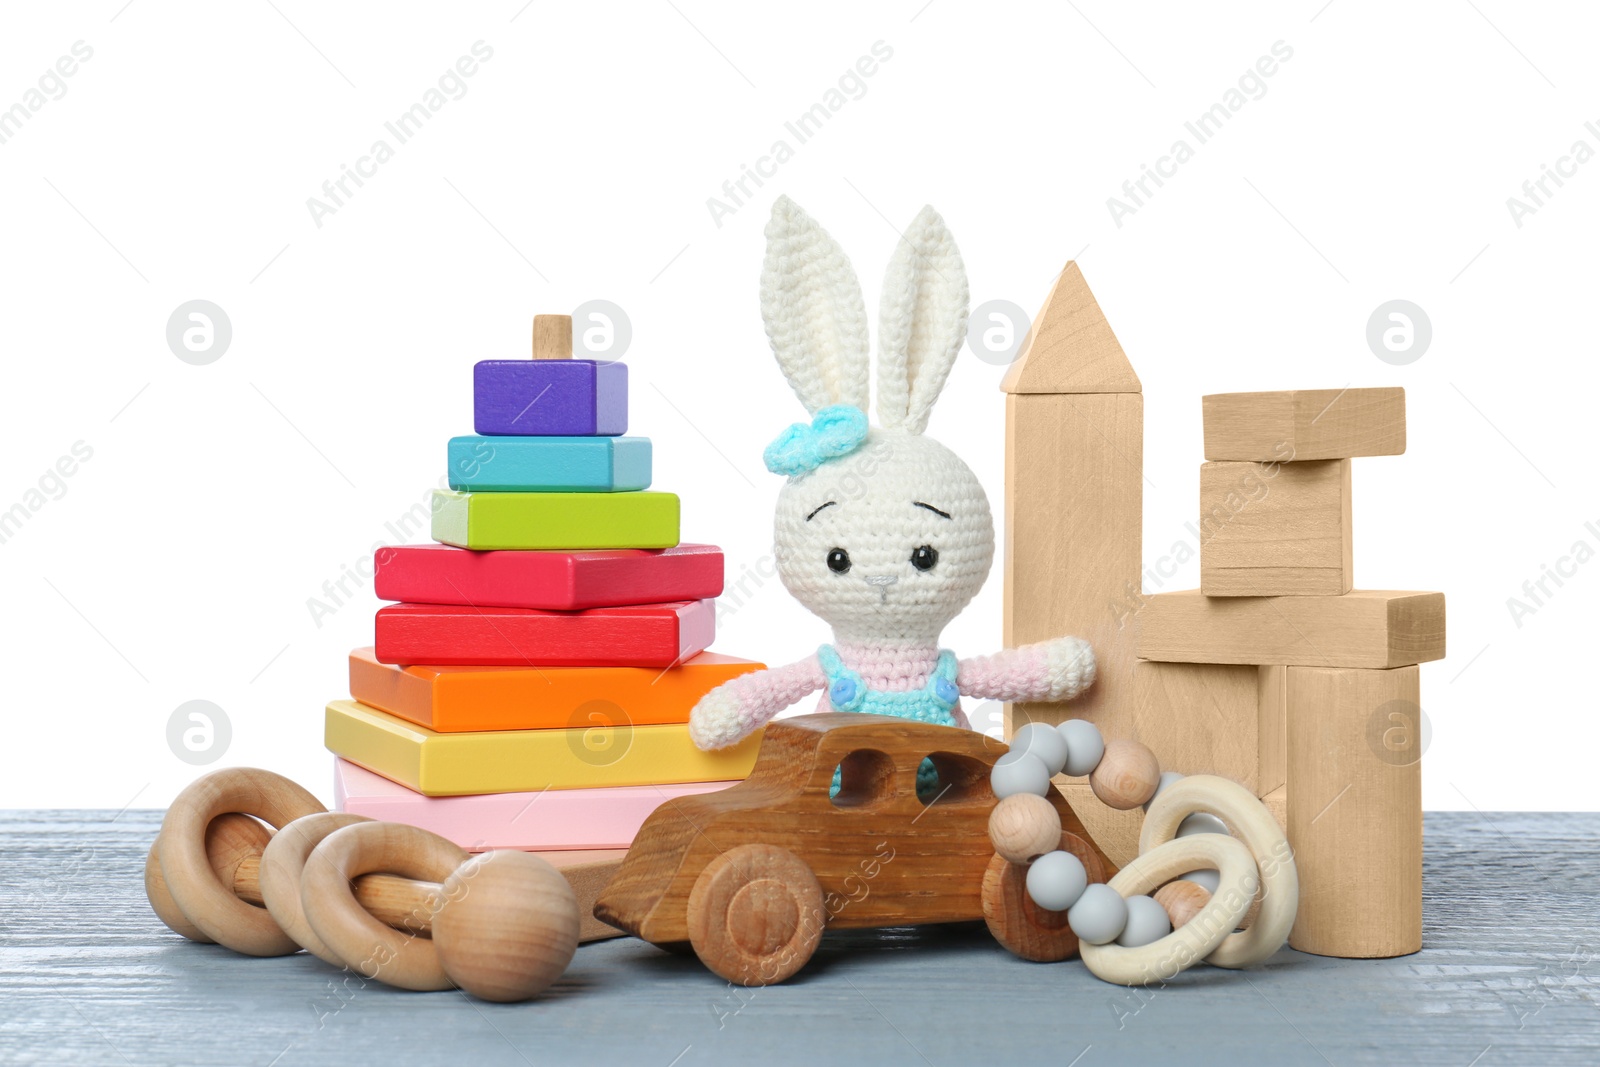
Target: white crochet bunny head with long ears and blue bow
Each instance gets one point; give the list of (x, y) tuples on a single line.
[(884, 533)]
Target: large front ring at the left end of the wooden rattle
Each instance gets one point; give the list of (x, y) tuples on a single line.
[(186, 869)]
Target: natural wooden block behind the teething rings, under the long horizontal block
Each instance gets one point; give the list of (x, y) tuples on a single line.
[(1198, 719)]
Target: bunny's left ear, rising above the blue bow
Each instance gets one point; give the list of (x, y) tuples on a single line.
[(814, 311)]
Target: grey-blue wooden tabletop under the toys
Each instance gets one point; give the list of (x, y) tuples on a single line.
[(1511, 973)]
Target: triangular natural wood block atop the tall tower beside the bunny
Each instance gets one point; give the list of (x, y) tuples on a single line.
[(1071, 348)]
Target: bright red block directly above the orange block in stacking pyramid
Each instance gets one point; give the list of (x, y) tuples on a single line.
[(641, 636)]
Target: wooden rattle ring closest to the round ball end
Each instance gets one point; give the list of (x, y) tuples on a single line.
[(348, 930)]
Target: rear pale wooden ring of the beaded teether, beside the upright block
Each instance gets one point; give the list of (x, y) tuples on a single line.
[(1250, 821)]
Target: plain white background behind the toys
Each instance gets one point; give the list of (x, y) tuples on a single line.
[(578, 164)]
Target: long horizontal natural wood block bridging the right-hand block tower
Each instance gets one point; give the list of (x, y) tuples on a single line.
[(1367, 628)]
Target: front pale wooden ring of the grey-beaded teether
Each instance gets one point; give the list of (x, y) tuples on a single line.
[(1199, 938)]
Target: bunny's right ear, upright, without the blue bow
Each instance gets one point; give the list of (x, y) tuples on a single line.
[(922, 322)]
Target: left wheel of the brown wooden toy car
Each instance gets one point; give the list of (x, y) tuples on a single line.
[(756, 914)]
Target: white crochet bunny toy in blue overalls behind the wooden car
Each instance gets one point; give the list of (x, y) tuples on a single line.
[(882, 533)]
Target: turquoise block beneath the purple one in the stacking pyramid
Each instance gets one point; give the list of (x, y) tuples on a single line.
[(550, 465)]
